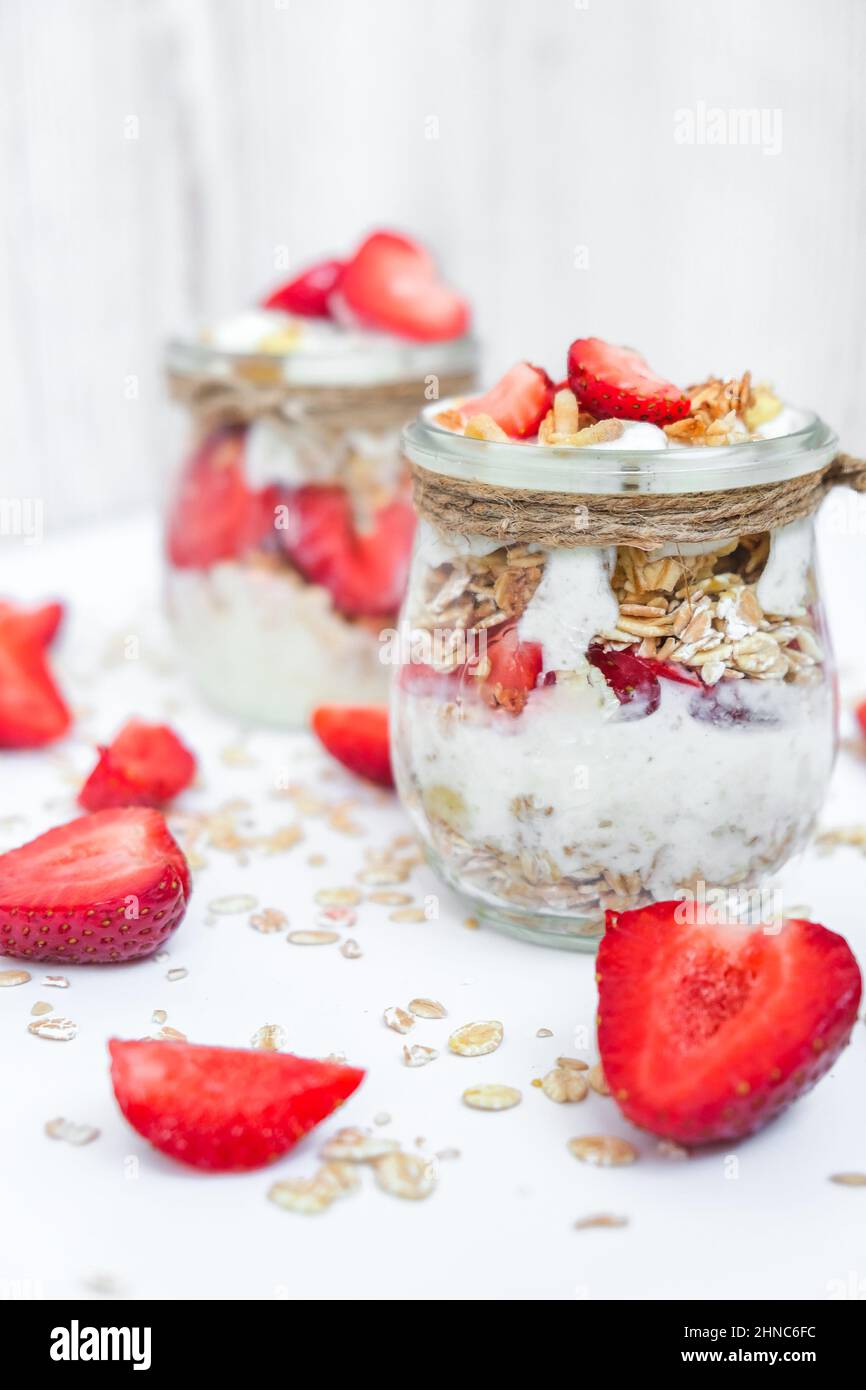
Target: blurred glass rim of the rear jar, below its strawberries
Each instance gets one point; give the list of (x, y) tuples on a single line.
[(363, 359)]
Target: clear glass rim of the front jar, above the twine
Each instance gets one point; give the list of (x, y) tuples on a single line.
[(680, 469)]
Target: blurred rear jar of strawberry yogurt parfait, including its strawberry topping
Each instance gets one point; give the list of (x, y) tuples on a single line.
[(290, 530)]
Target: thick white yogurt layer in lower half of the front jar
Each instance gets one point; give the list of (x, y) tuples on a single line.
[(671, 797)]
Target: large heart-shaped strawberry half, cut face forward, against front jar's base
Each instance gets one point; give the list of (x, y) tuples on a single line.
[(708, 1032)]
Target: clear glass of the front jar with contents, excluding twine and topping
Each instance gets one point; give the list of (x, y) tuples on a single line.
[(600, 726)]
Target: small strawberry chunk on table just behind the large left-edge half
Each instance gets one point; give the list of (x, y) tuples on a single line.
[(145, 765)]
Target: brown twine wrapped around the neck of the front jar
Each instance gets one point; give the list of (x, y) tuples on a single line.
[(640, 521)]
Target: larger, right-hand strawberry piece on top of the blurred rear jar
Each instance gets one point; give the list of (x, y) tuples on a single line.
[(393, 284)]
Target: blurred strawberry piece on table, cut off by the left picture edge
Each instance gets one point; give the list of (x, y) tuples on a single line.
[(33, 710)]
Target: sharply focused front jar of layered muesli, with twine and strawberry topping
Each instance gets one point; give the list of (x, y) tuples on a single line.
[(615, 683)]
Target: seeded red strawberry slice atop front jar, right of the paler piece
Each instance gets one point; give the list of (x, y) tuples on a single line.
[(616, 383)]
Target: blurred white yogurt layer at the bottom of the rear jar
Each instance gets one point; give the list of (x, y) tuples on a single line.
[(268, 647)]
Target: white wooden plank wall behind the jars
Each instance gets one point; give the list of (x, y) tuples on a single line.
[(158, 155)]
